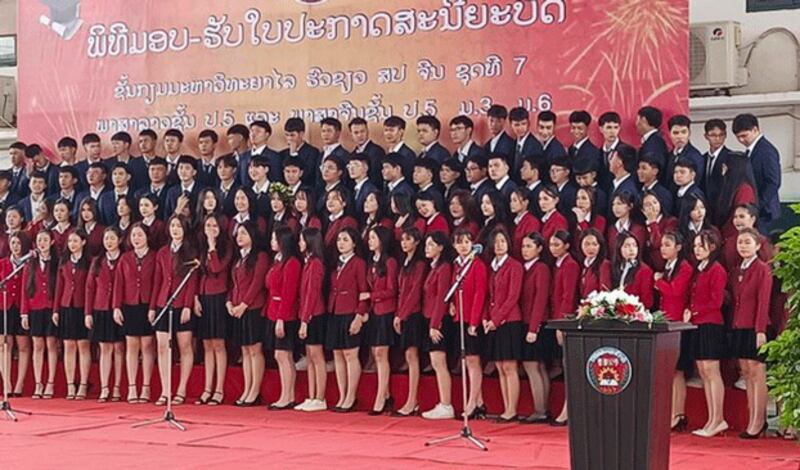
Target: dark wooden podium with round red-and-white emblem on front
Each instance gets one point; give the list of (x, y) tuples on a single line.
[(619, 392)]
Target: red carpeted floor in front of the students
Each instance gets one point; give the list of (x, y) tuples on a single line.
[(89, 435)]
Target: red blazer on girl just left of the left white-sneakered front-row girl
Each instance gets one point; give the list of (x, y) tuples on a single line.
[(283, 284)]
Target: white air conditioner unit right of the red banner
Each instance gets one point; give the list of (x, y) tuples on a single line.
[(714, 56)]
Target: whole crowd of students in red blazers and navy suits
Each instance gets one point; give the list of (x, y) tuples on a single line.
[(341, 251)]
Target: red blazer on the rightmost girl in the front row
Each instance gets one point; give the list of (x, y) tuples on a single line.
[(751, 290)]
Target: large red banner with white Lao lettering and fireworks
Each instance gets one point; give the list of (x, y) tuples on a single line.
[(113, 65)]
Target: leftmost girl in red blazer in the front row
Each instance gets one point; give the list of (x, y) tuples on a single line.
[(19, 245)]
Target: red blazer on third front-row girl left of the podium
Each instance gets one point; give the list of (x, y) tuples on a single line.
[(504, 291)]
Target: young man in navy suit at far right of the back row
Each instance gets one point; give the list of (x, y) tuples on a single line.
[(766, 163)]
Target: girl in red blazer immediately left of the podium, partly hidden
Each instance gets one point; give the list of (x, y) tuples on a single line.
[(564, 301)]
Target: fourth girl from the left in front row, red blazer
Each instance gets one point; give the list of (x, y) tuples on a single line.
[(99, 315)]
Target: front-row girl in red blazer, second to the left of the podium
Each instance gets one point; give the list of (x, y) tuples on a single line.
[(535, 304)]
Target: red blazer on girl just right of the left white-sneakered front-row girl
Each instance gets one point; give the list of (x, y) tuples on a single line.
[(346, 285)]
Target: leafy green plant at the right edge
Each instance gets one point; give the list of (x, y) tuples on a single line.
[(783, 374)]
